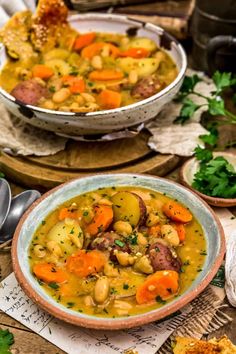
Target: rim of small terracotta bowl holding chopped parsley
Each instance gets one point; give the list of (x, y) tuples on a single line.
[(215, 201)]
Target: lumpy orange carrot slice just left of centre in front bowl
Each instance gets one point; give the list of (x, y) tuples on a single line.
[(83, 264)]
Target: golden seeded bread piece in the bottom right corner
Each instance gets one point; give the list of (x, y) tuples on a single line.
[(213, 346)]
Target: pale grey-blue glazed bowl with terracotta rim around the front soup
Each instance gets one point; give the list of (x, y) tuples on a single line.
[(41, 208)]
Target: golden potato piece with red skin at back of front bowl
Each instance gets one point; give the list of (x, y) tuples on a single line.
[(128, 206)]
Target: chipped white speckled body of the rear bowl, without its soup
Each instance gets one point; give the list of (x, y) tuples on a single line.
[(101, 122)]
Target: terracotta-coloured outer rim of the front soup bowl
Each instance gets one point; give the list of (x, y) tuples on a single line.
[(106, 323)]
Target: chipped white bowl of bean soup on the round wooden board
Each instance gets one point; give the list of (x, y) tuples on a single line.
[(104, 74)]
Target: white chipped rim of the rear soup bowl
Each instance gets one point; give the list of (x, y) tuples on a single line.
[(124, 109)]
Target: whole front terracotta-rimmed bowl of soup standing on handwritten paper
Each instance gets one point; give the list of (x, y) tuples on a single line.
[(117, 250)]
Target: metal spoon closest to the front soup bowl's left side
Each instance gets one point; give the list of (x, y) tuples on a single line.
[(19, 204)]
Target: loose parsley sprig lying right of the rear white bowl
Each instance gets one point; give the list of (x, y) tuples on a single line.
[(215, 104)]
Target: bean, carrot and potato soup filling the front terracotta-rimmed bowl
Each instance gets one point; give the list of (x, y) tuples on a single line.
[(117, 251)]
